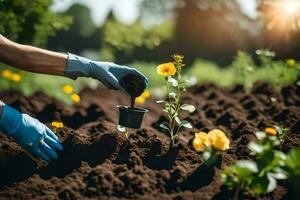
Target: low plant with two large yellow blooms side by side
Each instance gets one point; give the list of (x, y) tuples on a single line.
[(211, 144)]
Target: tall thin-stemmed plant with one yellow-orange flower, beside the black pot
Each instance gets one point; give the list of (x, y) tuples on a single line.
[(175, 85)]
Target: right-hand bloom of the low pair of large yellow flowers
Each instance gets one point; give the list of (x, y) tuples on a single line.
[(218, 139)]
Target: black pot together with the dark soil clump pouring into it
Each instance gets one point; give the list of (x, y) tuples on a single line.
[(132, 117)]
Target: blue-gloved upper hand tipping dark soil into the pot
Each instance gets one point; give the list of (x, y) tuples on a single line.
[(108, 73)]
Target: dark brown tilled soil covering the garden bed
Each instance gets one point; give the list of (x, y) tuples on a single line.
[(98, 162)]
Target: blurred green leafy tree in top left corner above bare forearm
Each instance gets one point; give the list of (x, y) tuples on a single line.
[(30, 21)]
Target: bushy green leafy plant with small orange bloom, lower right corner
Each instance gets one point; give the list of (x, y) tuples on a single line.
[(261, 176)]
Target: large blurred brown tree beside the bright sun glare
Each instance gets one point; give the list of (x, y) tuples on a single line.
[(214, 29)]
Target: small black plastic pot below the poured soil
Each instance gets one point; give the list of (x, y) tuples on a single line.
[(131, 118)]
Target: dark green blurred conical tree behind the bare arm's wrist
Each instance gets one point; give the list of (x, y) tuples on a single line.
[(82, 34)]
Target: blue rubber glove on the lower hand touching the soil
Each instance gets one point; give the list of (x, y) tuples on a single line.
[(30, 133)]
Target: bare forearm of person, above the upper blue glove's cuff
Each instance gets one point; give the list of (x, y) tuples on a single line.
[(32, 59)]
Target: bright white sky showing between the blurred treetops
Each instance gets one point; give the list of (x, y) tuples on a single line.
[(127, 11)]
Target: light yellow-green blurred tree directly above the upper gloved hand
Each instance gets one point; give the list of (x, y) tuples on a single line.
[(134, 42)]
